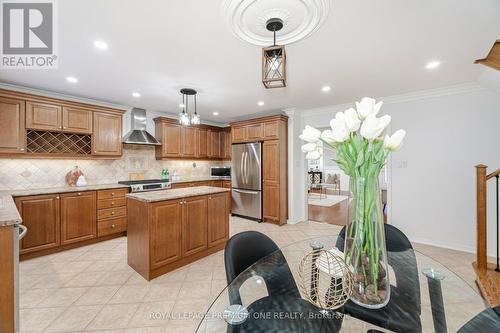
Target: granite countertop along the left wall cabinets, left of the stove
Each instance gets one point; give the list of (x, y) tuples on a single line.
[(8, 210)]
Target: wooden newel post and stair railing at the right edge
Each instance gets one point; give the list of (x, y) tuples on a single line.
[(481, 233)]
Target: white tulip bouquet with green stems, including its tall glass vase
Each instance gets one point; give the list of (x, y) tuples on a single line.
[(357, 137)]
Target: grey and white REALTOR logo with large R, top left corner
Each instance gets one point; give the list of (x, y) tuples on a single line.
[(28, 34)]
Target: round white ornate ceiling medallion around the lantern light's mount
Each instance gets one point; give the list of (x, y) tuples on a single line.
[(247, 18)]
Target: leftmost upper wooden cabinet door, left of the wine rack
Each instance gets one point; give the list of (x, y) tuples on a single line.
[(12, 130)]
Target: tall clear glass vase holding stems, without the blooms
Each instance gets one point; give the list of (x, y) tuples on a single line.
[(365, 247)]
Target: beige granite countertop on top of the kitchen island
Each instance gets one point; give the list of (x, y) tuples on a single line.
[(177, 193)]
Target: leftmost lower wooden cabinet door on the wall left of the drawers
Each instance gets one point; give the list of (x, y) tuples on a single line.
[(40, 215)]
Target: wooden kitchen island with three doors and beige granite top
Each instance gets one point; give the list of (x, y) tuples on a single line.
[(171, 228)]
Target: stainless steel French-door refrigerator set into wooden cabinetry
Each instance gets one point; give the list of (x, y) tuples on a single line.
[(246, 179)]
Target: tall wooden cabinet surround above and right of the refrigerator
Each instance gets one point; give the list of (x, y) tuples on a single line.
[(272, 131)]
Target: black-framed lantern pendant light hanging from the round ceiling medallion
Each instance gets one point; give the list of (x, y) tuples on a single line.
[(274, 59)]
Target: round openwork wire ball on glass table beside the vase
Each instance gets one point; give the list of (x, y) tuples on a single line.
[(324, 279)]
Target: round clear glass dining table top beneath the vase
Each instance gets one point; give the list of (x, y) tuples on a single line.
[(441, 300)]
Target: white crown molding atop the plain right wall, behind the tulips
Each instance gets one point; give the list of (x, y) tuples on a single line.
[(407, 97)]
